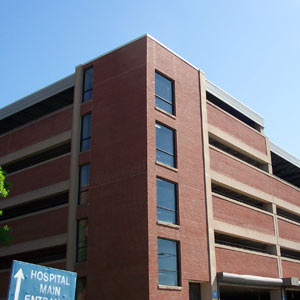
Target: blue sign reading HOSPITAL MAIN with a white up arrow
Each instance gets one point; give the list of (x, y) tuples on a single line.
[(34, 282)]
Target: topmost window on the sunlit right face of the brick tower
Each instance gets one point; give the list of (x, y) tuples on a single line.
[(164, 93)]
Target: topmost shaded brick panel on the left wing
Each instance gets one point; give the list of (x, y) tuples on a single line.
[(36, 131)]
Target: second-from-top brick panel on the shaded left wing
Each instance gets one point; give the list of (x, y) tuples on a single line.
[(40, 176)]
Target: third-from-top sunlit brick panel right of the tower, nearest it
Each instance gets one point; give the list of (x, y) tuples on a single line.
[(239, 215)]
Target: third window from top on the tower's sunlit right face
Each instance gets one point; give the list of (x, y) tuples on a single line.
[(166, 201)]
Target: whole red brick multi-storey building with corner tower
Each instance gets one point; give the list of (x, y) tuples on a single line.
[(151, 183)]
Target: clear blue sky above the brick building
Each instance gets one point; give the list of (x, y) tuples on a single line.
[(249, 48)]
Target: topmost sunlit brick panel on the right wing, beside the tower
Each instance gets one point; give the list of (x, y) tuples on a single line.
[(235, 128)]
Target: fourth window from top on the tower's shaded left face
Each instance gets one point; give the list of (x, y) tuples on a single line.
[(82, 239)]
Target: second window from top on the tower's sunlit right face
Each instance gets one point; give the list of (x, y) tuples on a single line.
[(165, 141)]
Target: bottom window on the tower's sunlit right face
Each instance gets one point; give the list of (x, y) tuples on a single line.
[(168, 262)]
